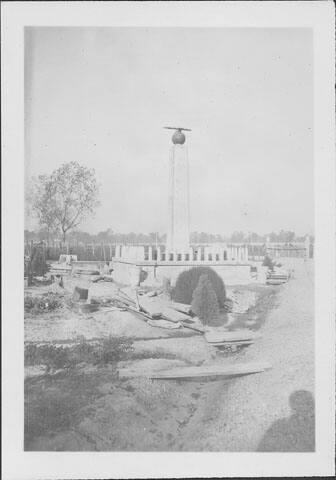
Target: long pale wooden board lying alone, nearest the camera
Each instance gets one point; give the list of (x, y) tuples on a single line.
[(202, 371)]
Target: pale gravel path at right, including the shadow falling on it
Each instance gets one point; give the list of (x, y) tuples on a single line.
[(274, 410)]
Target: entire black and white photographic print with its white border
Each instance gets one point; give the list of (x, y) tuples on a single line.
[(171, 236)]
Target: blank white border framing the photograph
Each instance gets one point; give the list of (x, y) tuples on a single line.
[(18, 464)]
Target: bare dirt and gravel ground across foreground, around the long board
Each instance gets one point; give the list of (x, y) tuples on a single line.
[(90, 409)]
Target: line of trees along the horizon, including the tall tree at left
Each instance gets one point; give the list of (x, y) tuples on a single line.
[(62, 200)]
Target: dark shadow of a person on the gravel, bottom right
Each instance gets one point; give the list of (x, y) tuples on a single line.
[(295, 433)]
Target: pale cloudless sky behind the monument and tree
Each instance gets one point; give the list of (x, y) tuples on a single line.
[(102, 95)]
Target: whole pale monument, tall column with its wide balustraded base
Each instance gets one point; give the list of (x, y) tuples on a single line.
[(160, 262)]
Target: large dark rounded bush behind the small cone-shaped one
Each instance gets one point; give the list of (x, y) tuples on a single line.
[(188, 280)]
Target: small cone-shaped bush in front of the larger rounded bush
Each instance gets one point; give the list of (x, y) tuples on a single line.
[(204, 302)]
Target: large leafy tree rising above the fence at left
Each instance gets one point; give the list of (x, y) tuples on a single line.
[(65, 198)]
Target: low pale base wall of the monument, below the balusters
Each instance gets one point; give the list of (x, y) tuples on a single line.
[(129, 273)]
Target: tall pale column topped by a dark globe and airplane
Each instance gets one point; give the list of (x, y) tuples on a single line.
[(178, 235)]
